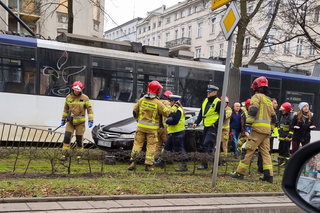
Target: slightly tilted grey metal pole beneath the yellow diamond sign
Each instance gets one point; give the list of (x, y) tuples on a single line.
[(224, 92)]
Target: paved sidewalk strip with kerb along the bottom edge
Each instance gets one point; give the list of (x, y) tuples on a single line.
[(178, 203)]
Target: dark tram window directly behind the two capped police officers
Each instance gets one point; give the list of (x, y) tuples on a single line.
[(192, 86)]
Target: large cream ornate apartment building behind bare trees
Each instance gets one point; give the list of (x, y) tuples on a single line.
[(191, 25)]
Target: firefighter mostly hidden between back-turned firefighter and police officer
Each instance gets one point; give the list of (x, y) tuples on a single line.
[(162, 131)]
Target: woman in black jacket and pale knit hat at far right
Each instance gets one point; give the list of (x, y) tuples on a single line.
[(302, 123)]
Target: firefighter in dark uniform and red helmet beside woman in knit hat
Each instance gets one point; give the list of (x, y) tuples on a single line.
[(285, 133)]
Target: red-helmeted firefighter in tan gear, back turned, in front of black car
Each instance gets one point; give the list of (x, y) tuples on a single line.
[(147, 112)]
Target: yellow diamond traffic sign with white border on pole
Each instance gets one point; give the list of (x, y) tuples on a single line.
[(230, 20)]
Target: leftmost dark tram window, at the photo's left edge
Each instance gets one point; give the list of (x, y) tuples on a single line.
[(17, 76)]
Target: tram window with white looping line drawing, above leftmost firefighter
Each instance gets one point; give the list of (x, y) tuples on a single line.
[(59, 69)]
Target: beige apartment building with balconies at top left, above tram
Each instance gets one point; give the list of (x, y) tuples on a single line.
[(50, 18)]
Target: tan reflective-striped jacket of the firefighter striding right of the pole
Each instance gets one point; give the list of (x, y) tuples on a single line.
[(261, 123)]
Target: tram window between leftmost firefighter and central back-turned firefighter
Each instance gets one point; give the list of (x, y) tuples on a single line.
[(113, 79)]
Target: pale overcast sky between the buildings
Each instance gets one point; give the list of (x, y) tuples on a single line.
[(122, 11)]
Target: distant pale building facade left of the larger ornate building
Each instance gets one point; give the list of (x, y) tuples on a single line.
[(124, 32)]
